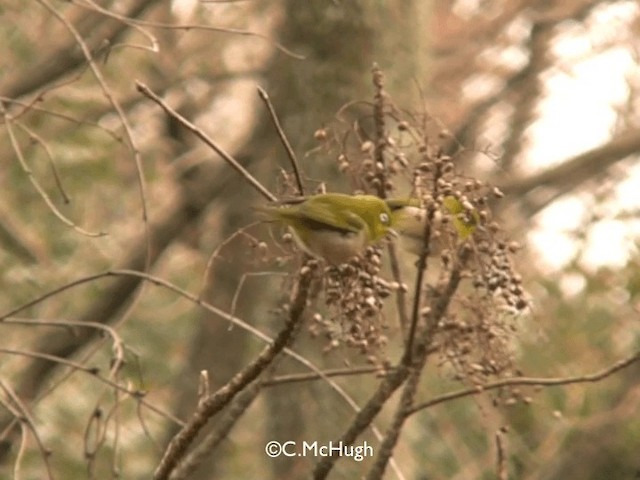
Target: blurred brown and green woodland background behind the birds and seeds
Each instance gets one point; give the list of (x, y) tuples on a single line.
[(540, 99)]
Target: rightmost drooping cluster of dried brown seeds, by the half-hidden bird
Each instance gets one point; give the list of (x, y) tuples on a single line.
[(475, 335)]
